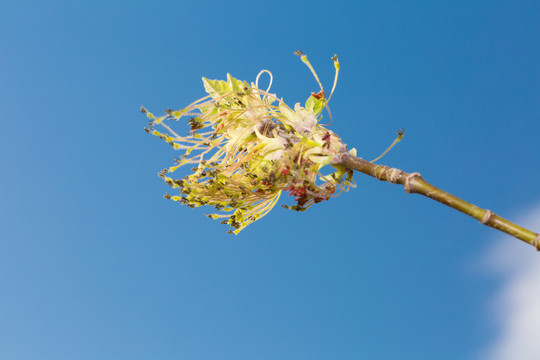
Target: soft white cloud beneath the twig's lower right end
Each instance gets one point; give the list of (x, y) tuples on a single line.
[(515, 307)]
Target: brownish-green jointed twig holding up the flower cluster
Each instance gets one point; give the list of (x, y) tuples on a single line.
[(414, 183)]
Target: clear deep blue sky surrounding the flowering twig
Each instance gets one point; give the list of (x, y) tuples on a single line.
[(95, 264)]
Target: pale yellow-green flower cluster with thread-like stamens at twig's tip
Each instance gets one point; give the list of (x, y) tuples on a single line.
[(247, 146)]
